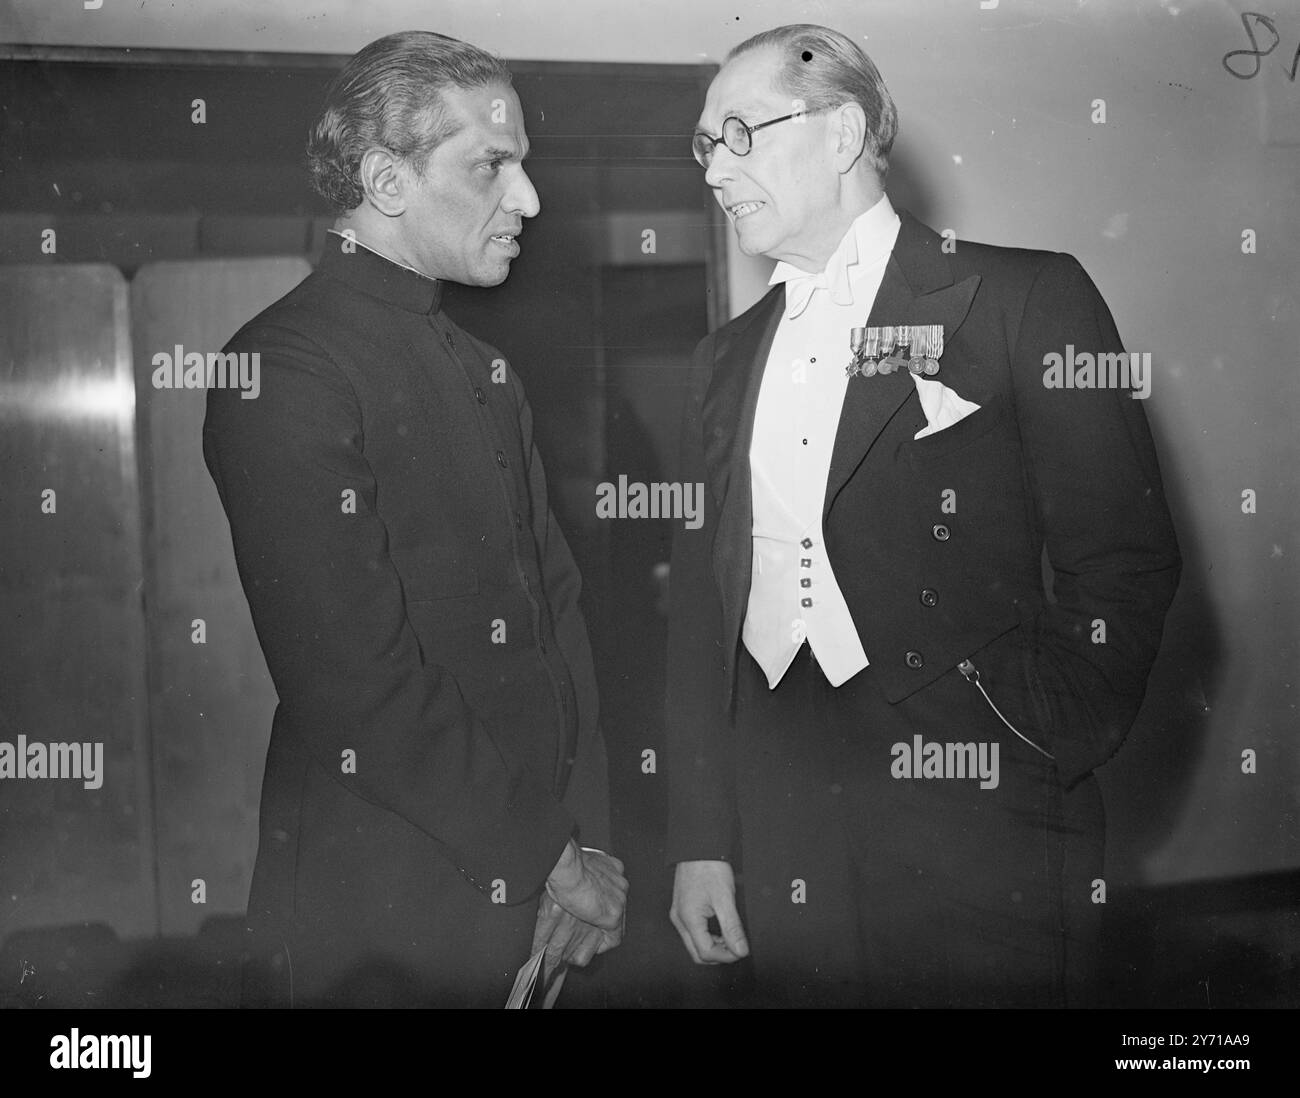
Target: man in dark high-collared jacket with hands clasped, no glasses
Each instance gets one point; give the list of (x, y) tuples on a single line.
[(436, 791)]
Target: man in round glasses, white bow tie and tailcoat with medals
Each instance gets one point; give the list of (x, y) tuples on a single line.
[(877, 717)]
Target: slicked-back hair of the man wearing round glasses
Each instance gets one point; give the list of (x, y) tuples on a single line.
[(825, 70)]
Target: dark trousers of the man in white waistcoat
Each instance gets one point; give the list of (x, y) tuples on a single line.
[(866, 889)]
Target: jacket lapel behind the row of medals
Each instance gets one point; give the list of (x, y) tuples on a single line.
[(917, 289)]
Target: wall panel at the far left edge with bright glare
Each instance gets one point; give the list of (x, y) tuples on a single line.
[(72, 630)]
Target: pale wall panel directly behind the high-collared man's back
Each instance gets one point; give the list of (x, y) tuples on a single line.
[(211, 704)]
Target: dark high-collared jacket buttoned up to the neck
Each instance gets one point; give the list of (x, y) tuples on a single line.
[(436, 741)]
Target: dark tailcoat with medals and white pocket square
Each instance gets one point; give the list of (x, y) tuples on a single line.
[(938, 543)]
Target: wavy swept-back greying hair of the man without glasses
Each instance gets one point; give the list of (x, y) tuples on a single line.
[(389, 96)]
